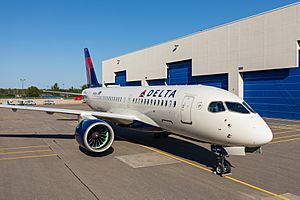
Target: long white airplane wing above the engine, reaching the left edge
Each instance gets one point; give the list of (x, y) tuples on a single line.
[(115, 117)]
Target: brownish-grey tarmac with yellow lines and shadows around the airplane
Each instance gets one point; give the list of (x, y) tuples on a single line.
[(39, 159)]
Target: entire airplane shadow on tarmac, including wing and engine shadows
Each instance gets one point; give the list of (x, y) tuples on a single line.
[(174, 146)]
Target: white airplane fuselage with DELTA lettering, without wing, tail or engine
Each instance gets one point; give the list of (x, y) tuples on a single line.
[(185, 110)]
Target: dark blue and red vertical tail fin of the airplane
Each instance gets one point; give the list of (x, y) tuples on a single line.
[(90, 72)]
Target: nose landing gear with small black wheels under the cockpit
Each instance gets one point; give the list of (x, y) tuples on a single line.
[(223, 167)]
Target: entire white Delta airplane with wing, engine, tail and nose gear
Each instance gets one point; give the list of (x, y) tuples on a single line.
[(204, 113)]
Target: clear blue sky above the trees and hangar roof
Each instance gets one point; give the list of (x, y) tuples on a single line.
[(42, 41)]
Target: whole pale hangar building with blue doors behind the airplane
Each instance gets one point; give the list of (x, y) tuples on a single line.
[(256, 58)]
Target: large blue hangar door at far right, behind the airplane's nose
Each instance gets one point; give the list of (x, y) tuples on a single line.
[(274, 93)]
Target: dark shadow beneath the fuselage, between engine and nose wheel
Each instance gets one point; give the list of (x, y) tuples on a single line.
[(174, 146)]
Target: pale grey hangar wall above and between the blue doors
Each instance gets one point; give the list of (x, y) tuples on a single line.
[(262, 42)]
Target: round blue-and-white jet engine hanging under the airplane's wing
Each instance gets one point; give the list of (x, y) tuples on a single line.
[(94, 135)]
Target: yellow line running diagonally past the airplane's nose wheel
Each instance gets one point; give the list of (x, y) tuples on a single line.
[(206, 169)]
